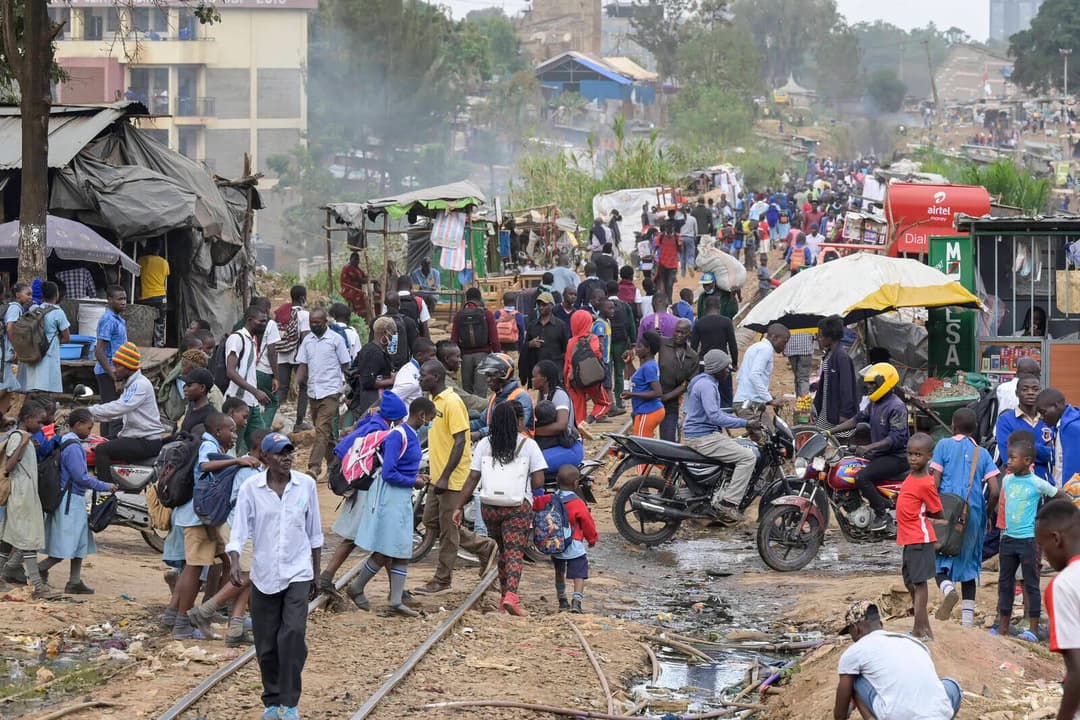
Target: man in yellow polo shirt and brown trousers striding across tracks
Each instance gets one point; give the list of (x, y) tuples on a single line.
[(451, 452)]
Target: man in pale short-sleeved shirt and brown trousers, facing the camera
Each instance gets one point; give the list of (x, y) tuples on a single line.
[(323, 360)]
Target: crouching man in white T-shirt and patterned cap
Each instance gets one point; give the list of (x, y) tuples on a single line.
[(889, 676)]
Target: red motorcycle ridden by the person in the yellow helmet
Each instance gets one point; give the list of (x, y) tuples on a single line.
[(825, 479)]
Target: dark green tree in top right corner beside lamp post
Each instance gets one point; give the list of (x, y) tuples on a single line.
[(1039, 64)]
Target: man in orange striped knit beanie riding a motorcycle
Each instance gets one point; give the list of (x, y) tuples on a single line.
[(140, 437)]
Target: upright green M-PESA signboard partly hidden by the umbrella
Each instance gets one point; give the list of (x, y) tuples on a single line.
[(951, 345)]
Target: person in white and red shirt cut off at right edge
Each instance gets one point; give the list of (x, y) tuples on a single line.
[(1058, 533)]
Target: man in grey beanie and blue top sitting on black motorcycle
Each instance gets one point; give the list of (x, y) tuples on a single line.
[(704, 431)]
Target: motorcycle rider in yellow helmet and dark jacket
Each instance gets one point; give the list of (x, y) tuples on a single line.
[(888, 450)]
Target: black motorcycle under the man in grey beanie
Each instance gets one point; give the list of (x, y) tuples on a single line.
[(650, 509)]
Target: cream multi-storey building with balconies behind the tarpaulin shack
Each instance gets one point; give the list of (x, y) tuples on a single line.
[(232, 88)]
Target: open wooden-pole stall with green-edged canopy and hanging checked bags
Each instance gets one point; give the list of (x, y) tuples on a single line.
[(356, 220)]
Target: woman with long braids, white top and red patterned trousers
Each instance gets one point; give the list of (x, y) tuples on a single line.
[(507, 450)]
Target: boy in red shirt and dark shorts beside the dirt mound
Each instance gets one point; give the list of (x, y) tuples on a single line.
[(919, 500)]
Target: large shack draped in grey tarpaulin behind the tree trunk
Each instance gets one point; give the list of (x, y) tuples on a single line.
[(107, 174)]
